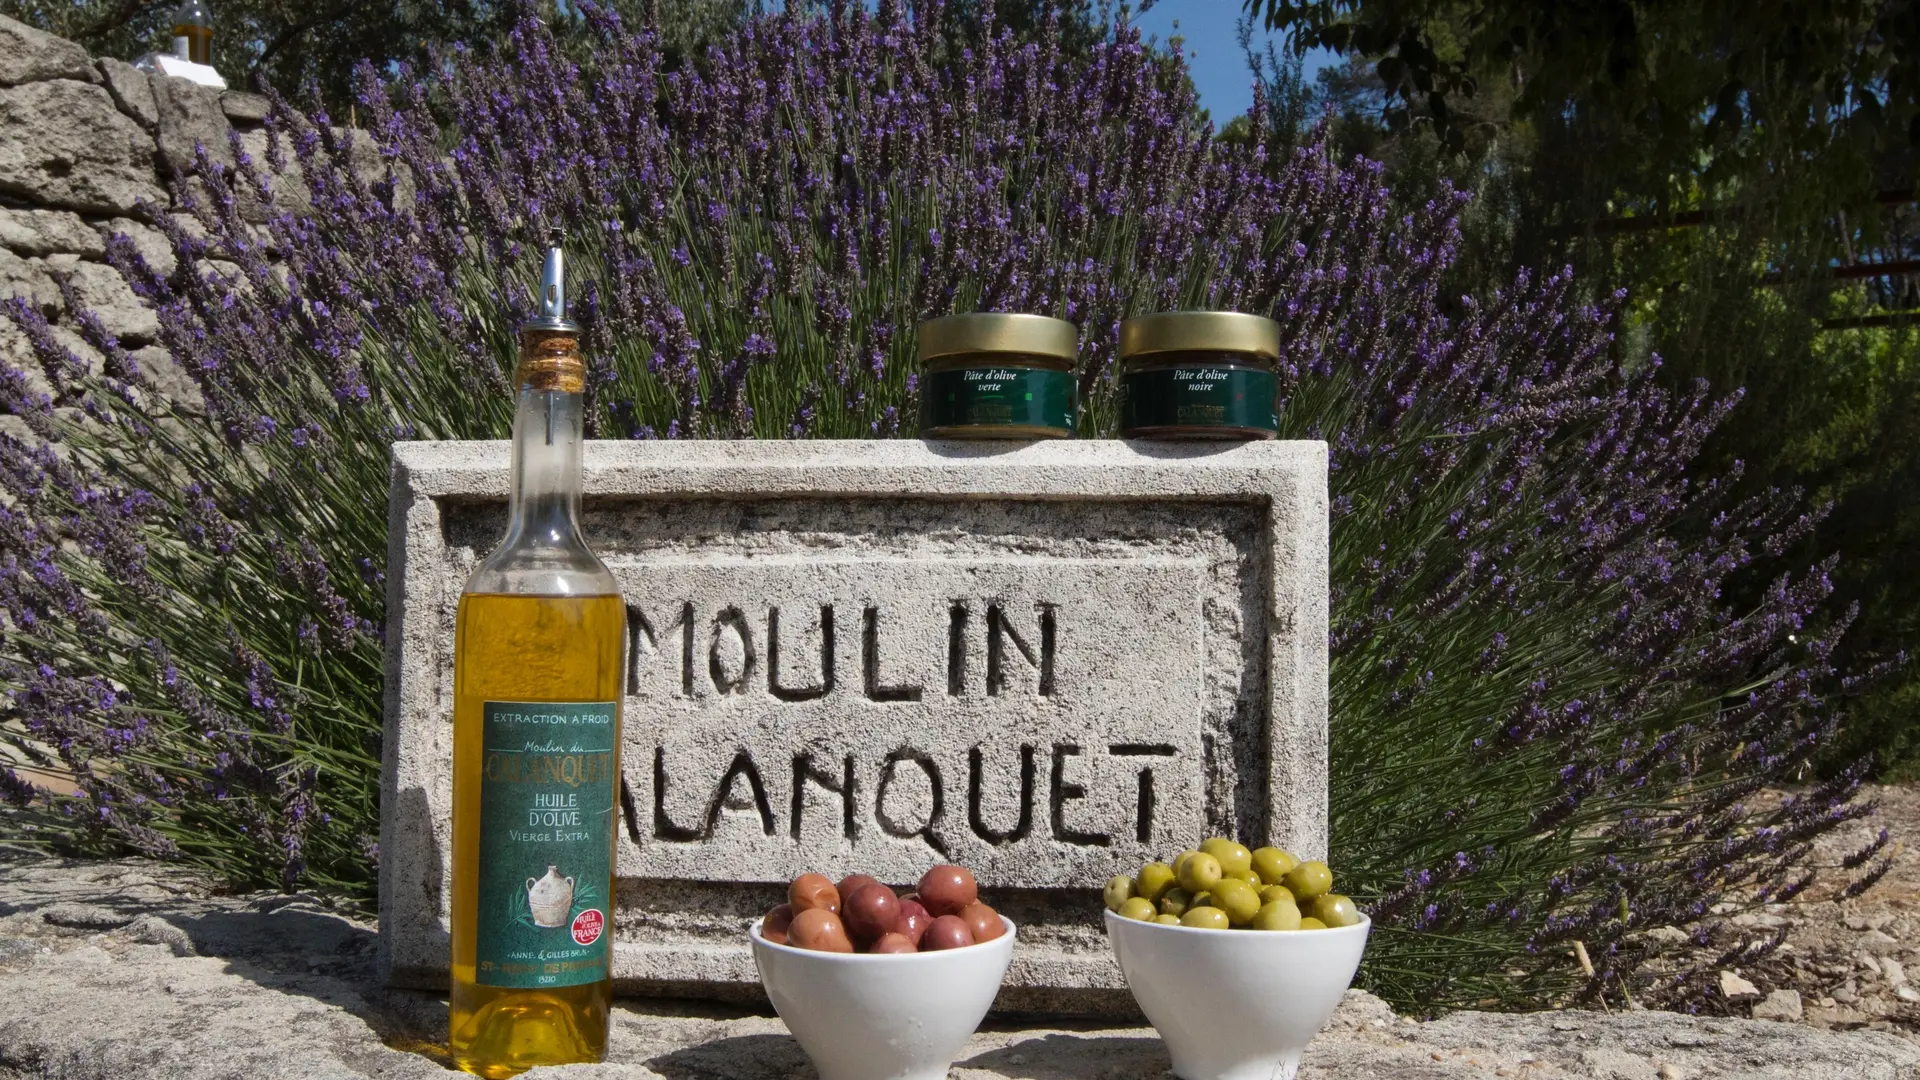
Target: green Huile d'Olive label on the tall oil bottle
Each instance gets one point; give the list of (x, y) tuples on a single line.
[(546, 845)]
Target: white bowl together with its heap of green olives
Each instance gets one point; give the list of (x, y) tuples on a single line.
[(1237, 956)]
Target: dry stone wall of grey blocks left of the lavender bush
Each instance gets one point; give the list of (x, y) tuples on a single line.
[(89, 149)]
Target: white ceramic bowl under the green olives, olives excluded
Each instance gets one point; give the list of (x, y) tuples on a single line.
[(1237, 1004)]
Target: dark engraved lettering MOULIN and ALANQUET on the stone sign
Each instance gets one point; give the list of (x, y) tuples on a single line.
[(752, 650)]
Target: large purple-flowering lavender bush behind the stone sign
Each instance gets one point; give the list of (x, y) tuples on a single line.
[(1548, 727)]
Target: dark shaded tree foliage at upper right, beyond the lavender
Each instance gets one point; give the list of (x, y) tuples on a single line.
[(1744, 172)]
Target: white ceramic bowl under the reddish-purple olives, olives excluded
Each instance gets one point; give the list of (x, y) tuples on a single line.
[(882, 1018)]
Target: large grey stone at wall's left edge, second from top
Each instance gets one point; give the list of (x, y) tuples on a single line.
[(66, 145)]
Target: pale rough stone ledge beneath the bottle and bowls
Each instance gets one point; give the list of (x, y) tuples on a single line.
[(133, 970)]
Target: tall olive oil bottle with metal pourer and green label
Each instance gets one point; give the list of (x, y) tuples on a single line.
[(539, 654)]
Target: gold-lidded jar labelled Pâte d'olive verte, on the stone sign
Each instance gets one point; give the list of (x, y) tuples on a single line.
[(997, 376)]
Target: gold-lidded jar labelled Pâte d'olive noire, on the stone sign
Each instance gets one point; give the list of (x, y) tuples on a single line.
[(1199, 376)]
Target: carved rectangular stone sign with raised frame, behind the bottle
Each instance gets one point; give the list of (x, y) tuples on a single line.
[(1045, 662)]
